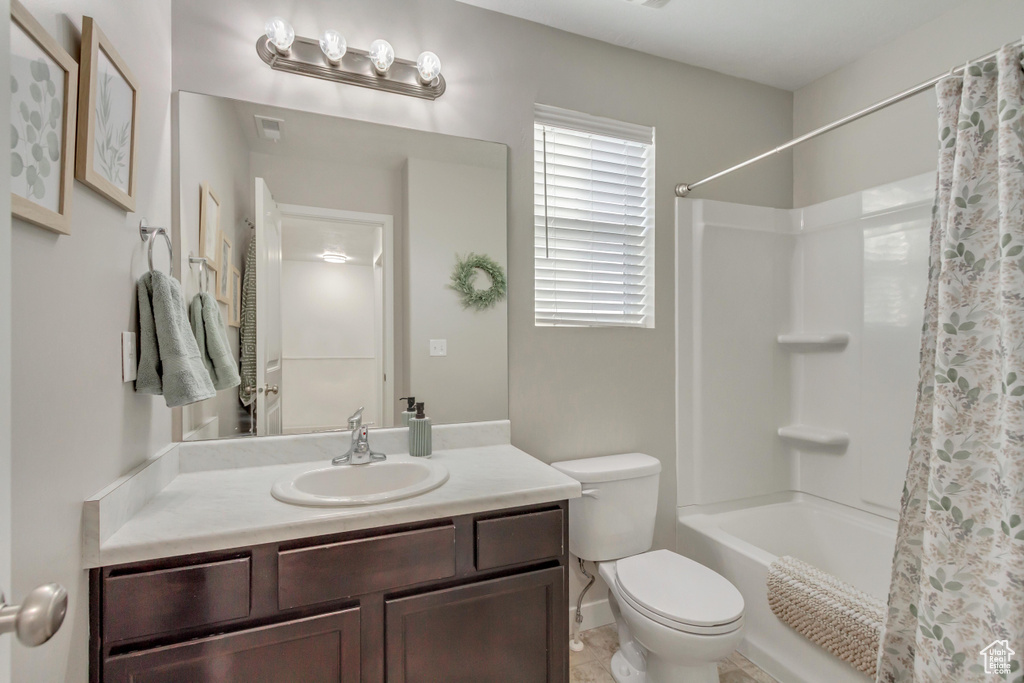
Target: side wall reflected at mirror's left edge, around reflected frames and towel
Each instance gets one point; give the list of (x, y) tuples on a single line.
[(211, 149)]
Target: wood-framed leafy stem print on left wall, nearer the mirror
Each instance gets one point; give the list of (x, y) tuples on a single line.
[(108, 118)]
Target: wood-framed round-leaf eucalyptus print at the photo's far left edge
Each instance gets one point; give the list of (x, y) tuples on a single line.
[(44, 112)]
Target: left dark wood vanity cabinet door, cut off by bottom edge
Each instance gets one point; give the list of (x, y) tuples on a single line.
[(318, 650)]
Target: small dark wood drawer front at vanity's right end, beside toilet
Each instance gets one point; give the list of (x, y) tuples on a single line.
[(518, 539)]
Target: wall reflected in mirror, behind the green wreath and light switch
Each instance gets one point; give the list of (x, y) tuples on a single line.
[(455, 209)]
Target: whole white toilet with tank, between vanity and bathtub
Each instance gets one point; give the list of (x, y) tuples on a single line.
[(676, 618)]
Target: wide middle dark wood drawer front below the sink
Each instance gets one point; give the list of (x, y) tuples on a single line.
[(322, 574)]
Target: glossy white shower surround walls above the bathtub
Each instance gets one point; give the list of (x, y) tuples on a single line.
[(857, 265)]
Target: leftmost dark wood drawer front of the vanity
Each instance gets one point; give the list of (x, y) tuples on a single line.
[(163, 601)]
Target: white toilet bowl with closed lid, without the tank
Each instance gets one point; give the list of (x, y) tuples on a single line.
[(676, 619)]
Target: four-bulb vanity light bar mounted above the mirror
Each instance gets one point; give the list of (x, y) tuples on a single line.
[(331, 59)]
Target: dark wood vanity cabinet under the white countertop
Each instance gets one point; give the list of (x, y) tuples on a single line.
[(476, 599)]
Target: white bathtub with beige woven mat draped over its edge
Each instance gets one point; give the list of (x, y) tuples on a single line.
[(740, 540)]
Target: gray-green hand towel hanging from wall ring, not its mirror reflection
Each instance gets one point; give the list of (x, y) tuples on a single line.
[(169, 362)]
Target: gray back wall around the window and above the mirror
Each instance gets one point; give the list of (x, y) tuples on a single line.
[(573, 393)]
